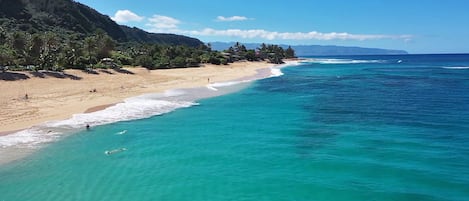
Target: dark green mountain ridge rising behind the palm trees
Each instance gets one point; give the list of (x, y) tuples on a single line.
[(68, 17)]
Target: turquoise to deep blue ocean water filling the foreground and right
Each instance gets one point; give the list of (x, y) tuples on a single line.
[(341, 128)]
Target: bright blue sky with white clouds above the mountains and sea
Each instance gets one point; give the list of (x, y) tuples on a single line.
[(430, 26)]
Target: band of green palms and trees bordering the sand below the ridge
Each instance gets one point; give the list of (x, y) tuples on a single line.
[(50, 51)]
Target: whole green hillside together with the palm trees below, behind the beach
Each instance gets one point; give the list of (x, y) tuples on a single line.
[(61, 34)]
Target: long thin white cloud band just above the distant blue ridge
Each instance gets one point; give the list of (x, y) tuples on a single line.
[(272, 35)]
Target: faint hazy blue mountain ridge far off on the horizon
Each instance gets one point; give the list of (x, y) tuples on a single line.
[(318, 50)]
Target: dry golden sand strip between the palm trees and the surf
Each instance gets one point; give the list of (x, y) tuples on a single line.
[(50, 98)]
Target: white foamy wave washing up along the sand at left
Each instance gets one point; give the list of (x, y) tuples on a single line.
[(131, 109)]
